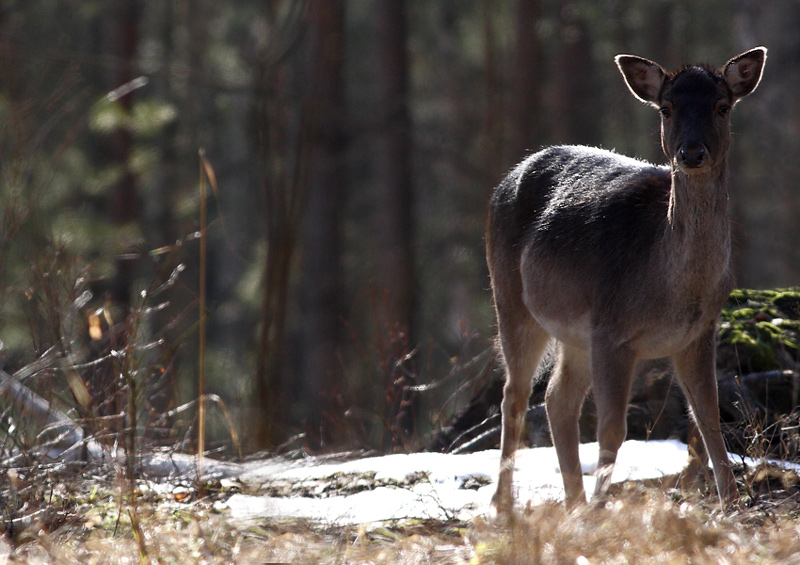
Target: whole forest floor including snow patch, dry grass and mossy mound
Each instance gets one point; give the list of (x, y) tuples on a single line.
[(432, 507)]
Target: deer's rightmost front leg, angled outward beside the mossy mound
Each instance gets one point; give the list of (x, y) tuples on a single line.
[(696, 369)]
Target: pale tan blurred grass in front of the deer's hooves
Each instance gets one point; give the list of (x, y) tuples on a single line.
[(643, 526)]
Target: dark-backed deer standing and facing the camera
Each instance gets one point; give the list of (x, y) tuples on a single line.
[(615, 261)]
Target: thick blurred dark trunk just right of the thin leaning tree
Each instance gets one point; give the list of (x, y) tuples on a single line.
[(323, 313)]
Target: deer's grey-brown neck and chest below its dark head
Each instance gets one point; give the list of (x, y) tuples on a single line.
[(698, 231)]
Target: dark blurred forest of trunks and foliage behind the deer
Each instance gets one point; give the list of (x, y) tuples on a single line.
[(354, 144)]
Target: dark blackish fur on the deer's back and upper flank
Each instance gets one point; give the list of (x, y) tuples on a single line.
[(579, 202)]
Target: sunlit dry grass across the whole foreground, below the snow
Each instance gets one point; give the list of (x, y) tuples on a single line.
[(636, 525)]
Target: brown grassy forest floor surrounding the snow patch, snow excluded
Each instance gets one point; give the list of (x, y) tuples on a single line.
[(96, 516)]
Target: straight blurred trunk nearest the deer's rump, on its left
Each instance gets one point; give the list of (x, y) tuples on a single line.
[(395, 228)]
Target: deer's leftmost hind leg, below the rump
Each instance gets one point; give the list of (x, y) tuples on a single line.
[(522, 342)]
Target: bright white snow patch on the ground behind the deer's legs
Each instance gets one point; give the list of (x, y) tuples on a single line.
[(452, 486)]
